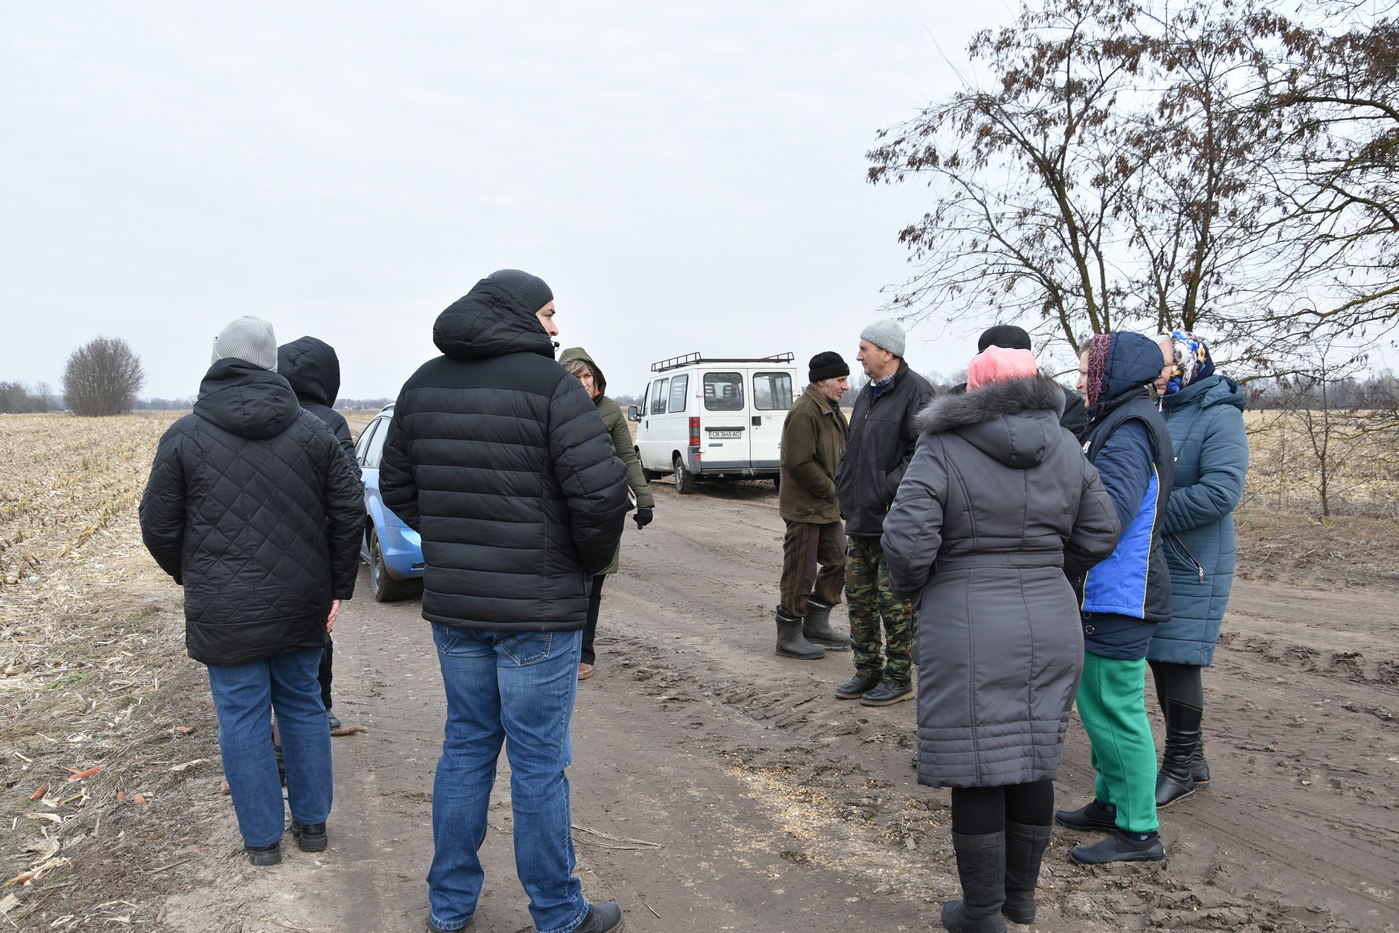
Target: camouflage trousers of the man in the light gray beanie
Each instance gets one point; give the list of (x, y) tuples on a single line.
[(871, 601)]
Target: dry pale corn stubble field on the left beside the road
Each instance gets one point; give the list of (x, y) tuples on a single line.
[(93, 669)]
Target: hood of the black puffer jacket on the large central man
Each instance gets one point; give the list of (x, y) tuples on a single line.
[(490, 321)]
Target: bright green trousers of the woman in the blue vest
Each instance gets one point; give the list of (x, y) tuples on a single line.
[(1113, 708)]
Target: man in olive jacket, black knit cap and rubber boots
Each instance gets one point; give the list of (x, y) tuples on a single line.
[(814, 552)]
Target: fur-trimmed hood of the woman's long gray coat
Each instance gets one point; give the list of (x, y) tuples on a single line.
[(1015, 423)]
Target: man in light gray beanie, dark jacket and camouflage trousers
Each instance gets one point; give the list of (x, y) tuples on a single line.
[(882, 444)]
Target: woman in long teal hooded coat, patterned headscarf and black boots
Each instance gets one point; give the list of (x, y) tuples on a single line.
[(1205, 415)]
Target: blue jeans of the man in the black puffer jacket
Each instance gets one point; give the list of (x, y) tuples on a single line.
[(517, 690)]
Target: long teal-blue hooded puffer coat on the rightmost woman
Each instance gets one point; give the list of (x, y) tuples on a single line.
[(1207, 425)]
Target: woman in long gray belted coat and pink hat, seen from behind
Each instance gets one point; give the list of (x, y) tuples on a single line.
[(997, 504)]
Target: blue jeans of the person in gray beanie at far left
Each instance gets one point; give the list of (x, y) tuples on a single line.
[(244, 697)]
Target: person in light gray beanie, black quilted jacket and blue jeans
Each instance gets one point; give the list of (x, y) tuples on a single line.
[(254, 508)]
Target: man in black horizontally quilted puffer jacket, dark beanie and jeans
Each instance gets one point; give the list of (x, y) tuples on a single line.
[(499, 460)]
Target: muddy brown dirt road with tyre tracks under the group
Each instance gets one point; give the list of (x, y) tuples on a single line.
[(721, 788)]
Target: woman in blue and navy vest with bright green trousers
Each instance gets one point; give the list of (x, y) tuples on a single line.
[(1124, 598)]
